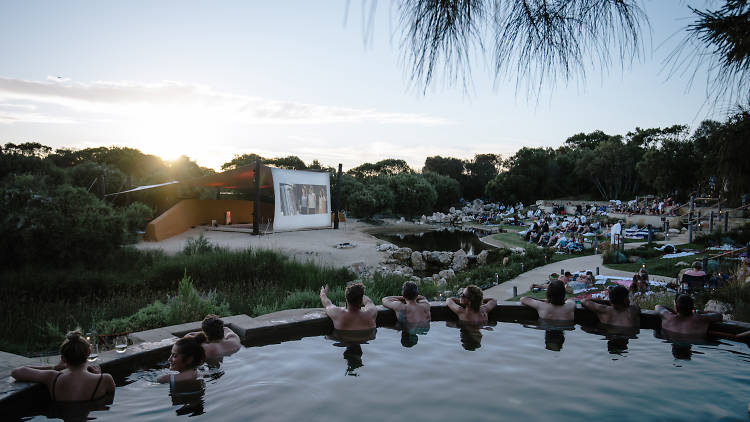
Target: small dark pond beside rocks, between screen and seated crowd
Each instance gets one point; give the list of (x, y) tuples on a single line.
[(437, 240)]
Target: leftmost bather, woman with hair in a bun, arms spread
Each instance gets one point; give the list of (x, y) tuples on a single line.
[(73, 379)]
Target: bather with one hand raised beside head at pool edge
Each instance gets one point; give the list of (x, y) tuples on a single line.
[(353, 317)]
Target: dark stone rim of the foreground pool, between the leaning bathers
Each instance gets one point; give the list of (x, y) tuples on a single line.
[(152, 346)]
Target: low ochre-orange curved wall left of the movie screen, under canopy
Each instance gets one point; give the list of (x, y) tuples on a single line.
[(194, 212)]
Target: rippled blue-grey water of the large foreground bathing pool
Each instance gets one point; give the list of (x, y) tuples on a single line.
[(503, 372)]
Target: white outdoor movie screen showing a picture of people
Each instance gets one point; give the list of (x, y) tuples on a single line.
[(302, 199)]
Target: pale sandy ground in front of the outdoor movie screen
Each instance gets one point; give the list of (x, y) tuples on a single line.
[(307, 245)]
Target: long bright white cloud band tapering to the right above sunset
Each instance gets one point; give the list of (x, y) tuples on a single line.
[(178, 101)]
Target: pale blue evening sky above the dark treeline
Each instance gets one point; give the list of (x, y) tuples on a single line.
[(212, 80)]
